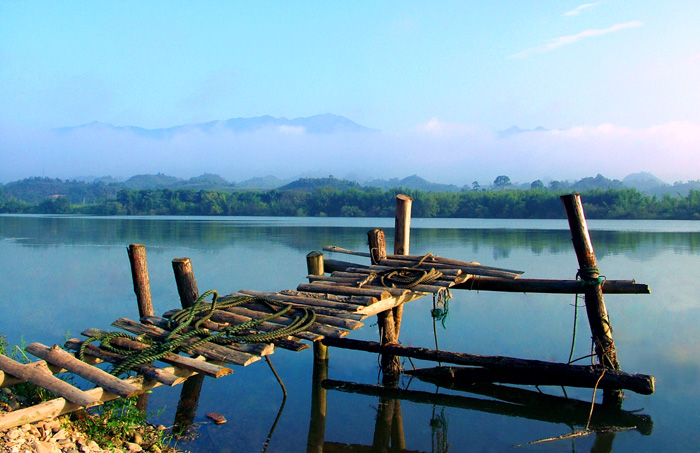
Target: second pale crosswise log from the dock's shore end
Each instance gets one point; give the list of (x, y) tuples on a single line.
[(58, 356)]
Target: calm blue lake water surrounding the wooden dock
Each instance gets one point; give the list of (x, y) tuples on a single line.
[(61, 275)]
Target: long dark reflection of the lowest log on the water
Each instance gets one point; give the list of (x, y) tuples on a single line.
[(546, 408)]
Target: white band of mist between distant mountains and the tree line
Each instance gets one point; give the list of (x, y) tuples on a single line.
[(437, 151)]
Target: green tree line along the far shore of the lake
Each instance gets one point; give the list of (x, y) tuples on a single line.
[(536, 203)]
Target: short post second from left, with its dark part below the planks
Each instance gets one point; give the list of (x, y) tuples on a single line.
[(189, 396)]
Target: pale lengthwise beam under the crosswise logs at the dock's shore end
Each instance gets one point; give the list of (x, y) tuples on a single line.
[(61, 406)]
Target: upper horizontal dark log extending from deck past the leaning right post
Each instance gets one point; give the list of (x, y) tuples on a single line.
[(525, 285)]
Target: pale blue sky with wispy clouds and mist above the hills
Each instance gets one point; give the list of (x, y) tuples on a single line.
[(614, 83)]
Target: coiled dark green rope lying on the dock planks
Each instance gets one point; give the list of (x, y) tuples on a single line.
[(240, 333)]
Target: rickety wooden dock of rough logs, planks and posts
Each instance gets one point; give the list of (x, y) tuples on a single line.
[(340, 294)]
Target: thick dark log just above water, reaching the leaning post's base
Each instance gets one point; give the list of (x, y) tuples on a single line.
[(536, 371)]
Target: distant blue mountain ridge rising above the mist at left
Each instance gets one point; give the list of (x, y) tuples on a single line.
[(319, 124)]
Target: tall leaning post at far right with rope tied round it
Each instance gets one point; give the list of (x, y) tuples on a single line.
[(601, 329)]
